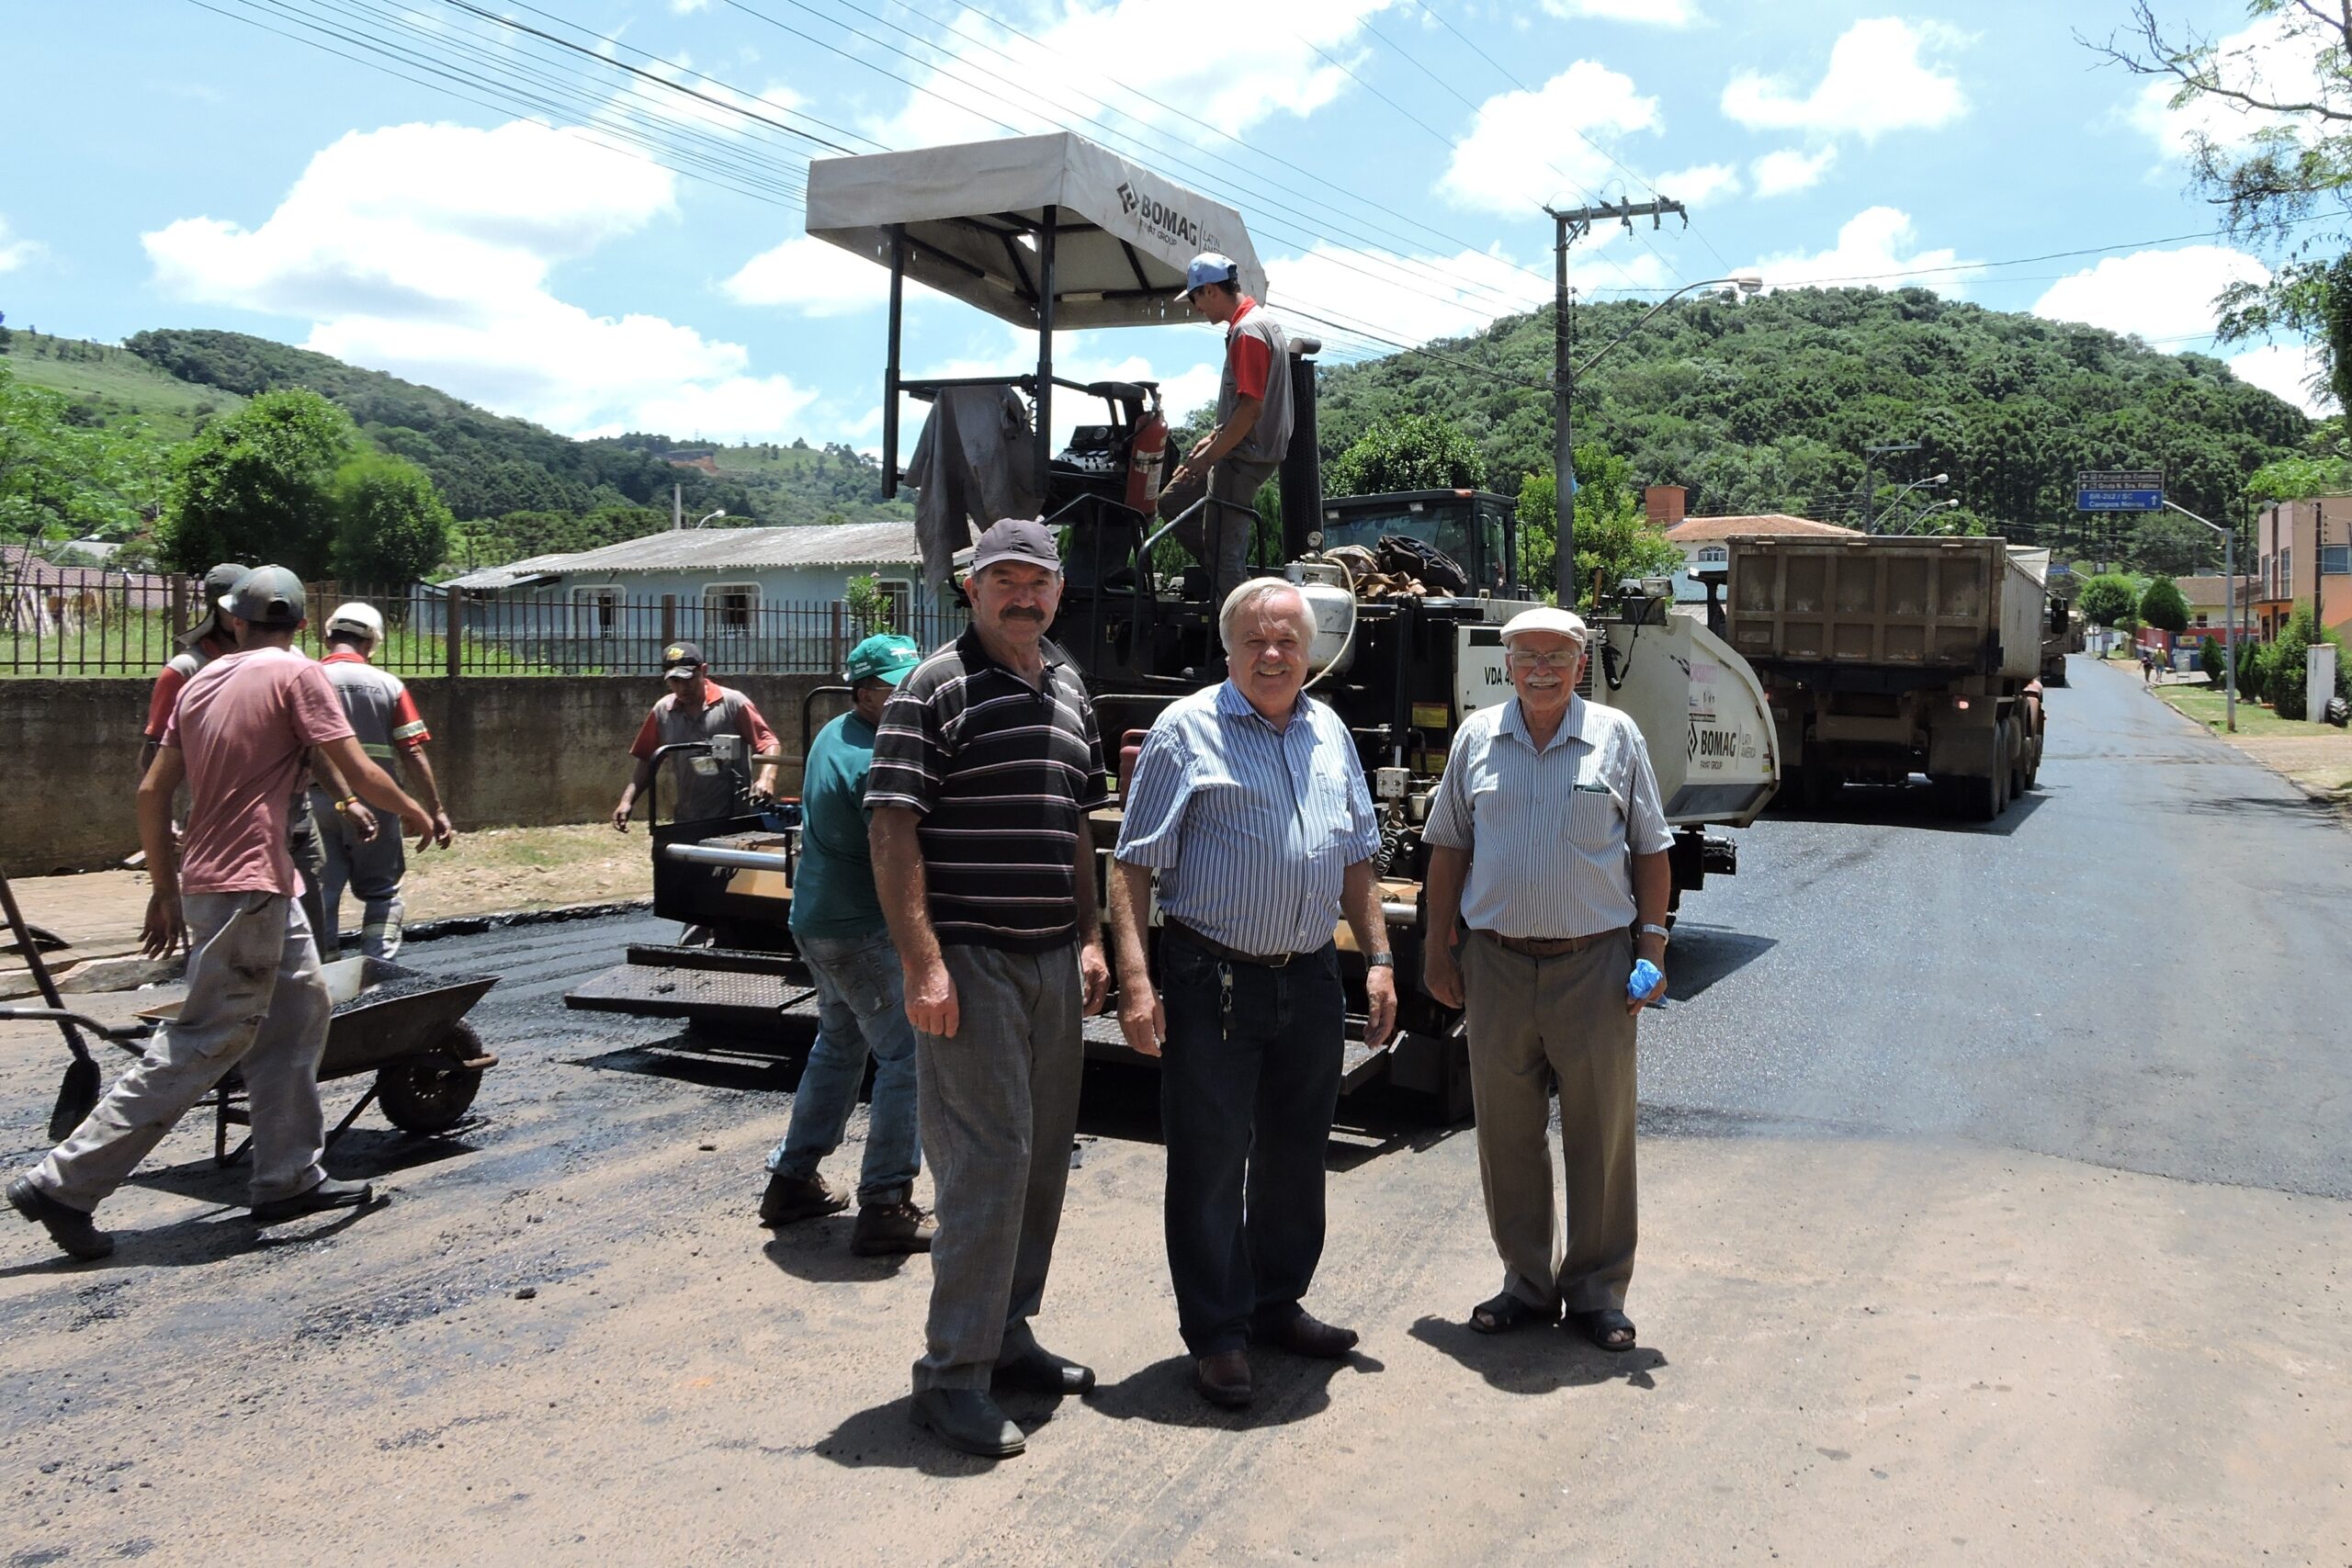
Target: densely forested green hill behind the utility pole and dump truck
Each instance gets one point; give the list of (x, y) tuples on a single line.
[(1768, 406)]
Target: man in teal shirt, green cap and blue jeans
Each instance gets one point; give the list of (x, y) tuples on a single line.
[(860, 991)]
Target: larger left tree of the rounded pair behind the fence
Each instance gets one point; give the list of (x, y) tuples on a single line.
[(260, 488)]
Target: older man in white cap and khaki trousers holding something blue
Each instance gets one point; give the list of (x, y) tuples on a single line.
[(1549, 843)]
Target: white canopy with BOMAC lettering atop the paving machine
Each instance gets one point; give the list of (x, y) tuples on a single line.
[(973, 215)]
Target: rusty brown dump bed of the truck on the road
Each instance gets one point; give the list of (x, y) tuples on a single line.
[(1890, 603)]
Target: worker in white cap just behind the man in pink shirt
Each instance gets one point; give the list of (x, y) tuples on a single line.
[(385, 718)]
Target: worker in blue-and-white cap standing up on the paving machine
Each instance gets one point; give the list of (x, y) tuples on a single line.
[(1252, 429)]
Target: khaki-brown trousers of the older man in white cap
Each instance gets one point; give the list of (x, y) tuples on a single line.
[(1535, 1021)]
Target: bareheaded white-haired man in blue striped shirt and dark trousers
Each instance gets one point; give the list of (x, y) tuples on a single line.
[(1250, 805)]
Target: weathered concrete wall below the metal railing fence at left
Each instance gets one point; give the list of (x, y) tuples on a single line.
[(509, 753)]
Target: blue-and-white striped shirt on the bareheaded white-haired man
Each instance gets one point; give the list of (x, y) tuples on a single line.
[(1250, 826)]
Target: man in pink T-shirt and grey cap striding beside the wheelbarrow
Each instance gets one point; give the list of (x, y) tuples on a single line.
[(258, 1000)]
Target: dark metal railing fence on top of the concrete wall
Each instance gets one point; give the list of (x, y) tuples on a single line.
[(88, 622)]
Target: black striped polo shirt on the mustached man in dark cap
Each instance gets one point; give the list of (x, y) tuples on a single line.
[(1001, 775)]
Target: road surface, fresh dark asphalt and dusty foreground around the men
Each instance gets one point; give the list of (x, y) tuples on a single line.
[(1996, 1207)]
